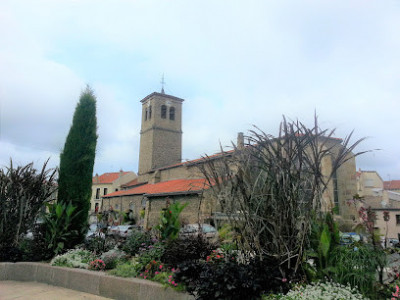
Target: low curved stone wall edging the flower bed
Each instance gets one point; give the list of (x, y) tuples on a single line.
[(97, 283)]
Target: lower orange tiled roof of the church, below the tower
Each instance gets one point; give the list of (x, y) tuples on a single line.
[(178, 186)]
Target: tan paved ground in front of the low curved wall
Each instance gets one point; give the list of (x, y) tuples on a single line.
[(40, 291)]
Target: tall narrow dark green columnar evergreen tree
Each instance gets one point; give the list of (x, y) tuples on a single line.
[(76, 164)]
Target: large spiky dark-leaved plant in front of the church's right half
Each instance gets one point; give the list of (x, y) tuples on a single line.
[(270, 187)]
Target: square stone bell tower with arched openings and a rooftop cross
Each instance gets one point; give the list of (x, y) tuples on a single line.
[(161, 132)]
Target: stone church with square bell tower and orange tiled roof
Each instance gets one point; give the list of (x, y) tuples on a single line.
[(163, 178)]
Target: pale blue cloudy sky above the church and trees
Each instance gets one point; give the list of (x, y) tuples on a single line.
[(237, 64)]
